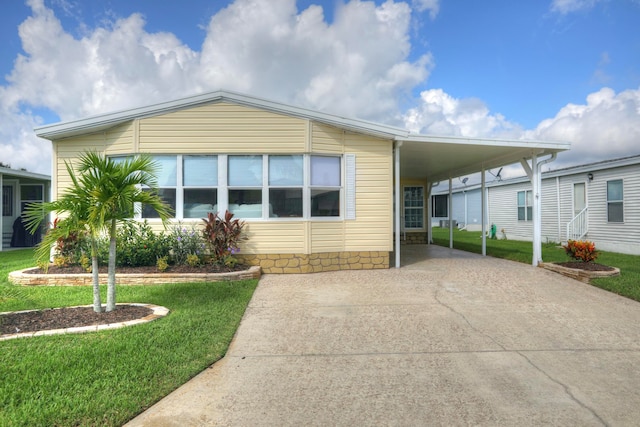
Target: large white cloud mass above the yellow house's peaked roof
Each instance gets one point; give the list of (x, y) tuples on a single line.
[(357, 65)]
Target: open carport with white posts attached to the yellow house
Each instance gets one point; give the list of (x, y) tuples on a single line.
[(433, 159)]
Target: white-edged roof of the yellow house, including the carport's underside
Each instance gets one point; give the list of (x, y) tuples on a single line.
[(431, 158)]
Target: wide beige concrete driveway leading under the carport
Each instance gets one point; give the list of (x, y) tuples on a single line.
[(451, 338)]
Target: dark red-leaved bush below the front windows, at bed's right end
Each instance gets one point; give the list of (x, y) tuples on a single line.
[(223, 236)]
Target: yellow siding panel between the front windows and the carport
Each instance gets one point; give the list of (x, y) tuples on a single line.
[(372, 229)]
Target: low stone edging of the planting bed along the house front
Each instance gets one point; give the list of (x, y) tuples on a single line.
[(20, 277)]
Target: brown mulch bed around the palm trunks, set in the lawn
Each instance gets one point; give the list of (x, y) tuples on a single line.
[(68, 317)]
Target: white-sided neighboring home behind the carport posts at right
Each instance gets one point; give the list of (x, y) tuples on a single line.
[(597, 201)]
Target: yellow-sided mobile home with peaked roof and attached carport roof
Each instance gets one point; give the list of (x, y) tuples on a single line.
[(317, 192)]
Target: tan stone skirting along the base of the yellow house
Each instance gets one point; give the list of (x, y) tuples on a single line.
[(314, 263)]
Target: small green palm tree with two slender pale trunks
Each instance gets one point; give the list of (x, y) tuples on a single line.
[(111, 189)]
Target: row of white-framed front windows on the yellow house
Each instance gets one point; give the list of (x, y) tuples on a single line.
[(250, 186)]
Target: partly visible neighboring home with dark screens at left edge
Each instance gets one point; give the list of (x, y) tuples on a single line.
[(20, 188)]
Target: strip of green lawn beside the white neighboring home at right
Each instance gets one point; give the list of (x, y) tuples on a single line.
[(627, 284)]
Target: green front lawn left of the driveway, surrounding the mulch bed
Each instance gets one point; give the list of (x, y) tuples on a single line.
[(106, 378)]
